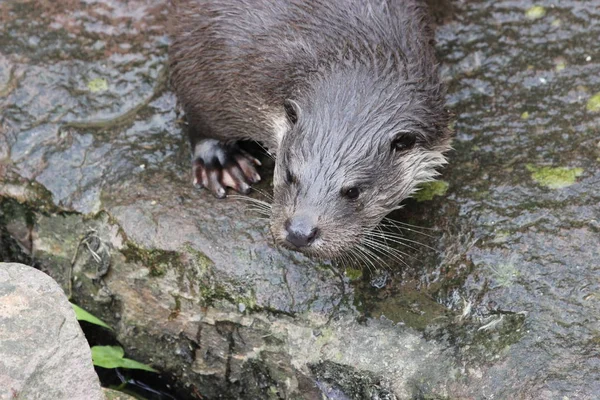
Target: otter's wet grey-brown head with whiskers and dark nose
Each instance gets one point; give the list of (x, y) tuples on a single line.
[(355, 147)]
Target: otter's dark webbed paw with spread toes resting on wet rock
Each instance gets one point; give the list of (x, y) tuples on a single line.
[(217, 166)]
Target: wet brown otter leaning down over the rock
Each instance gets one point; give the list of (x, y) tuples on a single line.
[(345, 94)]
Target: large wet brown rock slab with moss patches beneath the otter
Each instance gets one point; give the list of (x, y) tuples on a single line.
[(499, 286)]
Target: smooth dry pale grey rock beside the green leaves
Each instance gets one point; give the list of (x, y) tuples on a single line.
[(43, 352)]
